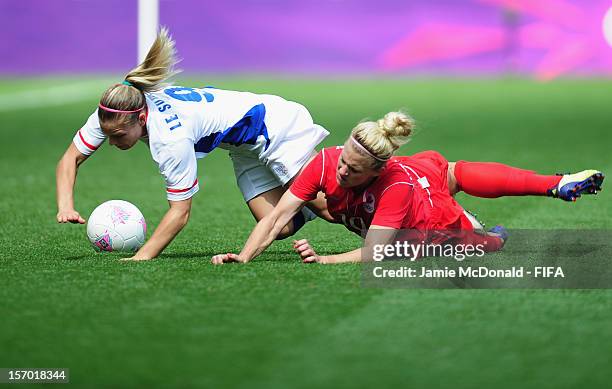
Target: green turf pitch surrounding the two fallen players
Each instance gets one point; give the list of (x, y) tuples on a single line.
[(275, 322)]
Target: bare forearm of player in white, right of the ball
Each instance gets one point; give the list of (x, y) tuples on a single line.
[(171, 224)]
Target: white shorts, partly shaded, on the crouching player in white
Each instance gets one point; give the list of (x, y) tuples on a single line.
[(283, 161)]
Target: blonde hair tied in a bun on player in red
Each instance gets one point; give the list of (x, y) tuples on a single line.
[(382, 137)]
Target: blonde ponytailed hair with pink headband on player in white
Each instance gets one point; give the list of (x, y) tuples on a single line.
[(149, 76)]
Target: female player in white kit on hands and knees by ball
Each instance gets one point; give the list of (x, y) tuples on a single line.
[(269, 140)]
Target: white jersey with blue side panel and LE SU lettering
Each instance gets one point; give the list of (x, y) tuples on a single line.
[(188, 123)]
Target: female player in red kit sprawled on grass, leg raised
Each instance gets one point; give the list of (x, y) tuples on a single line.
[(374, 194)]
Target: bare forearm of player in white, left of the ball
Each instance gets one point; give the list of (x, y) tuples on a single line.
[(65, 176)]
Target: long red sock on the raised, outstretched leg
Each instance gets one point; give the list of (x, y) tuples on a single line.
[(491, 179)]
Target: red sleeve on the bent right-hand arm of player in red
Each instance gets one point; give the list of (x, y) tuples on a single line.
[(394, 206)]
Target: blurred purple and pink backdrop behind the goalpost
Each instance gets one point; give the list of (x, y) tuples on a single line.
[(543, 38)]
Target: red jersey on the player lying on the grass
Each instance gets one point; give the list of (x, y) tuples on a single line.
[(411, 193)]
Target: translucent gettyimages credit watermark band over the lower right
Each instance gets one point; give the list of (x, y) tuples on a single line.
[(458, 259)]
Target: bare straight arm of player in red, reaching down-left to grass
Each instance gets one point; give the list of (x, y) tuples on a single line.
[(266, 230)]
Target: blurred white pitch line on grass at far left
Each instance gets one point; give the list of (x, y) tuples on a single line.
[(52, 96)]
